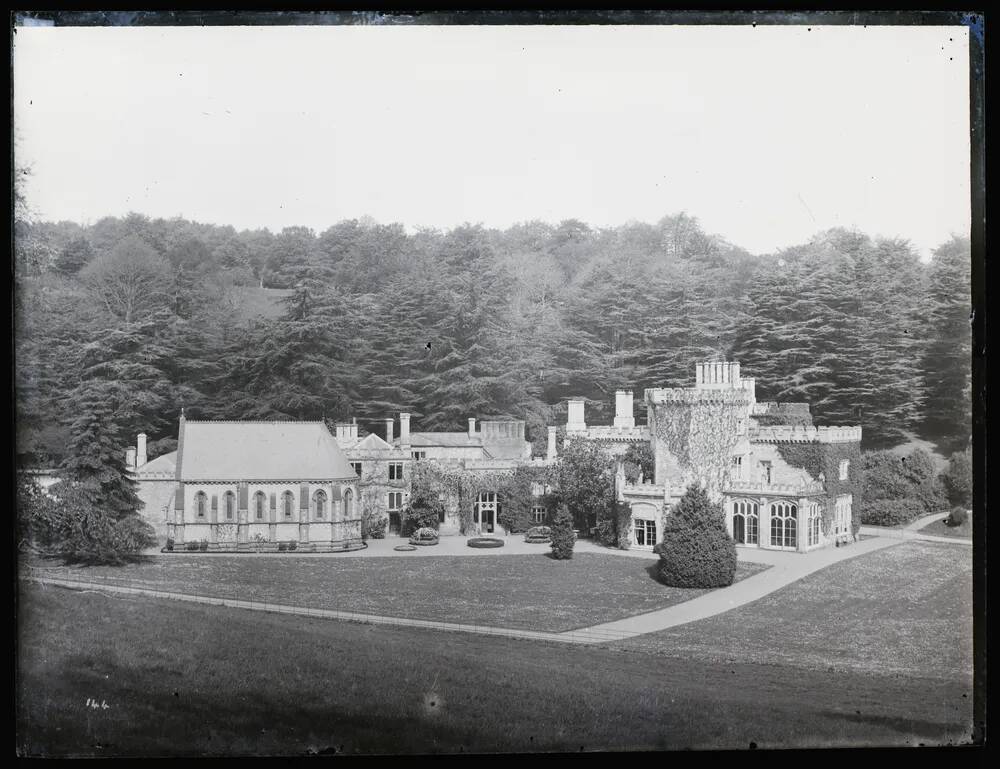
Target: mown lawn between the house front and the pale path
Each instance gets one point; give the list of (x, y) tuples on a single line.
[(516, 591)]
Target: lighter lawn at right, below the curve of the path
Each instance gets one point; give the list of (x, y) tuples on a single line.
[(905, 610)]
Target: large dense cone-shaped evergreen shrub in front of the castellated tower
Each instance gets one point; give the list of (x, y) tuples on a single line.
[(696, 550)]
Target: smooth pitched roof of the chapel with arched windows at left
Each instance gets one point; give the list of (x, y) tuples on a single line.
[(287, 451)]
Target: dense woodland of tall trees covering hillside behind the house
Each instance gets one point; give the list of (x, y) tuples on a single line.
[(121, 323)]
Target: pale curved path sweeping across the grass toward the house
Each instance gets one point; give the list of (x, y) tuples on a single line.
[(785, 569)]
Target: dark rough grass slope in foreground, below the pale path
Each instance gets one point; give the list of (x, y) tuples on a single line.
[(184, 679)]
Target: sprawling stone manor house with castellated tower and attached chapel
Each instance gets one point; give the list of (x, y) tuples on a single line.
[(784, 483)]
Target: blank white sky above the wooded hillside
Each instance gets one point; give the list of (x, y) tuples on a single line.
[(766, 134)]
